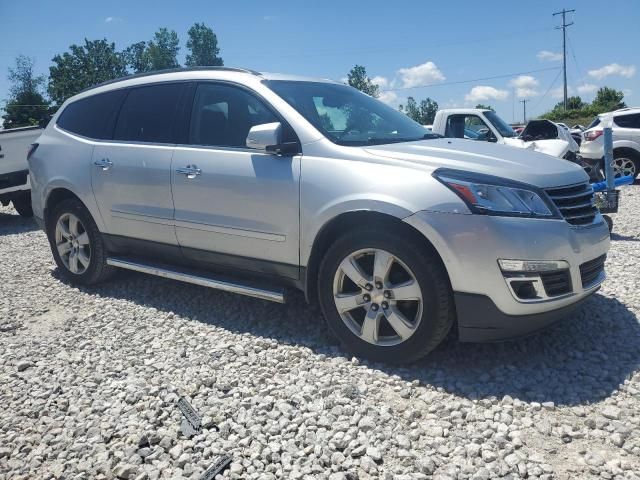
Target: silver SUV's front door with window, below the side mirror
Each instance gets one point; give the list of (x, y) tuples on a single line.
[(233, 205)]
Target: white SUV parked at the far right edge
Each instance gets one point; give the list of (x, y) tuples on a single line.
[(625, 125)]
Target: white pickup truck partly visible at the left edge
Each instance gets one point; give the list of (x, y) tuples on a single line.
[(14, 170)]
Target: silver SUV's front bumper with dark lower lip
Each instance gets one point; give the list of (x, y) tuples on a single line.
[(470, 246)]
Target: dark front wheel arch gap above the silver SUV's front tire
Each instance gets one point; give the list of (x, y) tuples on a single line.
[(348, 221)]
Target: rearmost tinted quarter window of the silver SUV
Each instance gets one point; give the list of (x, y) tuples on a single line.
[(94, 116)]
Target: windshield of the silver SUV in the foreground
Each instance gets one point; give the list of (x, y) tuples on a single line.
[(347, 116)]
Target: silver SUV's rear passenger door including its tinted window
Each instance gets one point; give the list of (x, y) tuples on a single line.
[(131, 174)]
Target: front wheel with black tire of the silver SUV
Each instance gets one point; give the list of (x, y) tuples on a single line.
[(429, 319)]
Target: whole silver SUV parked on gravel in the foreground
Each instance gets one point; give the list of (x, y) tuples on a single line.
[(252, 183)]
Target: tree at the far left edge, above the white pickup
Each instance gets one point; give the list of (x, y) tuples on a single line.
[(26, 105)]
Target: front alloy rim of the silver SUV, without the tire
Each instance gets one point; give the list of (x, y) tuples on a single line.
[(378, 297)]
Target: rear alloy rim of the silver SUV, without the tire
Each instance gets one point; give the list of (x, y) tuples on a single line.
[(72, 242)]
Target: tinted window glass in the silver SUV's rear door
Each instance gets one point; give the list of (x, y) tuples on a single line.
[(148, 113)]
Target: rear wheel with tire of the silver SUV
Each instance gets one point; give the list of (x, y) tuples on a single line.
[(85, 240)]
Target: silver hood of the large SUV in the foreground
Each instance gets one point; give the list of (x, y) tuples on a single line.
[(520, 164)]
